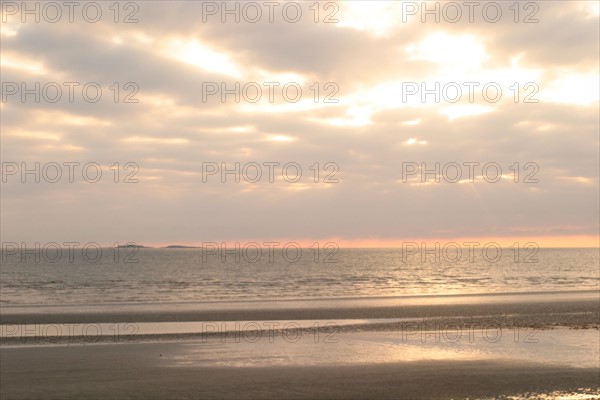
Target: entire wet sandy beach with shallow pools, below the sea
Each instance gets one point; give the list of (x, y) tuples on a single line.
[(483, 346)]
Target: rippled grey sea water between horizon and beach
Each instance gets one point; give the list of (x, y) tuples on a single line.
[(186, 275)]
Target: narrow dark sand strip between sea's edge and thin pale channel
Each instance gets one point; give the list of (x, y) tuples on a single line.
[(399, 310)]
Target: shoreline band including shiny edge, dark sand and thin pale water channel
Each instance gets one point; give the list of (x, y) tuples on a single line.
[(142, 323)]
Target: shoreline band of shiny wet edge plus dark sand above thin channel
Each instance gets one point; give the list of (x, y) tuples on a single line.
[(328, 308)]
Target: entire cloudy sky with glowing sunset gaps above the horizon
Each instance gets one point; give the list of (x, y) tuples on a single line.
[(360, 114)]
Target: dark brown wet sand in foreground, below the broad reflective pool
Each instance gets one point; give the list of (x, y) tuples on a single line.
[(138, 371)]
